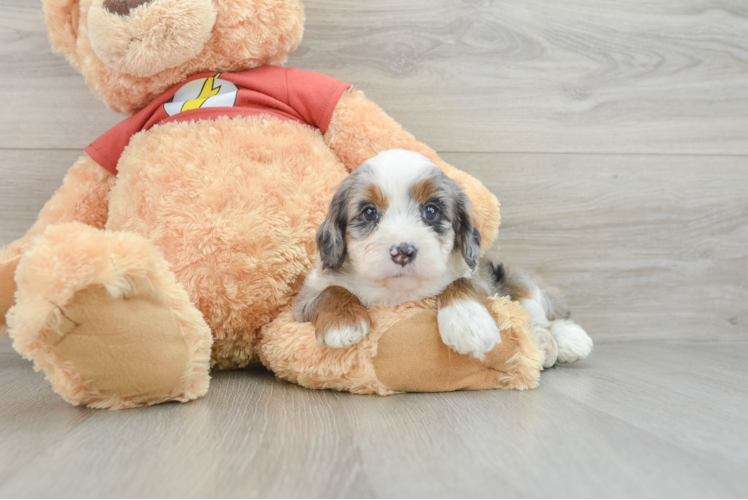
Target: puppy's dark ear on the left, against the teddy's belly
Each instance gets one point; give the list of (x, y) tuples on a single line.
[(331, 234)]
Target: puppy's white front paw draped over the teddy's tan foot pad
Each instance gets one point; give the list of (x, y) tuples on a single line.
[(468, 328)]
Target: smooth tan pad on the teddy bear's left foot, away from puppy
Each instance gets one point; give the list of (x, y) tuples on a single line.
[(129, 348)]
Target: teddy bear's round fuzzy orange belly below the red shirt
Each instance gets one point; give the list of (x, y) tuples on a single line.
[(238, 228)]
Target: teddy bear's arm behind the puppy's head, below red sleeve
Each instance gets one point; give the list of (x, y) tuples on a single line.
[(359, 130)]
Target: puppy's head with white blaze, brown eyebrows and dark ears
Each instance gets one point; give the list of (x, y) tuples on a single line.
[(400, 222)]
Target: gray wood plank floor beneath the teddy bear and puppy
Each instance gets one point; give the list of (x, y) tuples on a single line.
[(634, 420)]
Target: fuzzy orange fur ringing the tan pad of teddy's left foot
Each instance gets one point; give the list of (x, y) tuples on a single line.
[(69, 258)]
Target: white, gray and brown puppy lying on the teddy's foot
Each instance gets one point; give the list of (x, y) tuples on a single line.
[(399, 229)]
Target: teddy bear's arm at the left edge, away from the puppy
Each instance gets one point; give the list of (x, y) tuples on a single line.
[(83, 197)]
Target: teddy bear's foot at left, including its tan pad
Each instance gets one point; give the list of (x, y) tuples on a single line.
[(101, 313)]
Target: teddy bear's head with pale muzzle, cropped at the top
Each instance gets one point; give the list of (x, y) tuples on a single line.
[(131, 51)]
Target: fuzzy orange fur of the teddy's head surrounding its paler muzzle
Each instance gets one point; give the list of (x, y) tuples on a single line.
[(246, 35)]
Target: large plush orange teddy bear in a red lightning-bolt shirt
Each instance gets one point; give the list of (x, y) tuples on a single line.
[(177, 243)]
